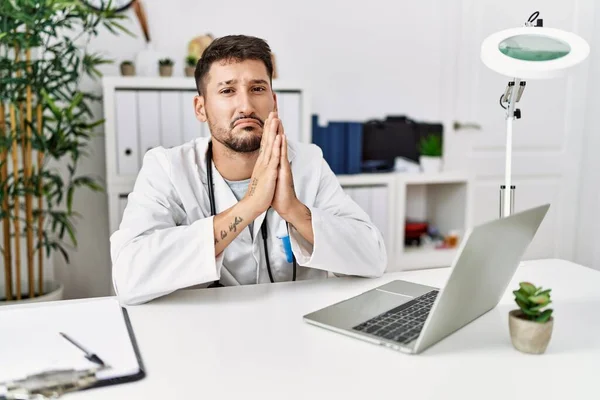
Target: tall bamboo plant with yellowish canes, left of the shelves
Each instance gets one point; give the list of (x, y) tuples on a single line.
[(45, 122)]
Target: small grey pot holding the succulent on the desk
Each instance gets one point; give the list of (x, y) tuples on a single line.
[(529, 336)]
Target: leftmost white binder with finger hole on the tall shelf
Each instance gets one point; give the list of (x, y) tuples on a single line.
[(126, 126)]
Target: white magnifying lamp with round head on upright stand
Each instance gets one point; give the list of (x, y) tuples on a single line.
[(529, 52)]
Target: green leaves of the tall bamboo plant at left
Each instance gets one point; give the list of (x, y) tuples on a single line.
[(56, 32)]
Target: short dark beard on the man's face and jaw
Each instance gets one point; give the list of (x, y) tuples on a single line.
[(240, 140)]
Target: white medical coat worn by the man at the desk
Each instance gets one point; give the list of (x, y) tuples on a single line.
[(165, 241)]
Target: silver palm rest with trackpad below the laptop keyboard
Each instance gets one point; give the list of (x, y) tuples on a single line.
[(358, 309)]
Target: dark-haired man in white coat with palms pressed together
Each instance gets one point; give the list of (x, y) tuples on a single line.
[(266, 190)]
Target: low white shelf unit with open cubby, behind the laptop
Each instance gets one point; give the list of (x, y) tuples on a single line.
[(442, 199)]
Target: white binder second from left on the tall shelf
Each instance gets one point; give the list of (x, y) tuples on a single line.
[(148, 109)]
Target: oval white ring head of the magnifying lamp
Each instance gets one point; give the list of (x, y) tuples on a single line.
[(533, 52)]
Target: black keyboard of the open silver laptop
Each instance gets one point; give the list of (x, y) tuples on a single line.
[(402, 324)]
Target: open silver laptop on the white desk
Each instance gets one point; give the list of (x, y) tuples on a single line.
[(410, 317)]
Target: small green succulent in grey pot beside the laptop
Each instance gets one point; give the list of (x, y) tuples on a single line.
[(531, 326)]
